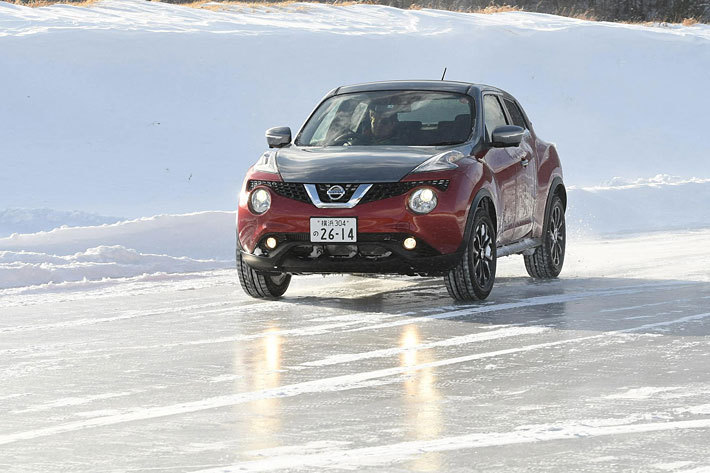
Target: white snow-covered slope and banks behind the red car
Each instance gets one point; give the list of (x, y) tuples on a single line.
[(140, 109)]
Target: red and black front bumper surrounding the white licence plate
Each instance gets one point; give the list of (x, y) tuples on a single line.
[(382, 225)]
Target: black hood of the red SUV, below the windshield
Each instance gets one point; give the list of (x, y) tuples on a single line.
[(350, 164)]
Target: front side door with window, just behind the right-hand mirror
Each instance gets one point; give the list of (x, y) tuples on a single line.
[(505, 169)]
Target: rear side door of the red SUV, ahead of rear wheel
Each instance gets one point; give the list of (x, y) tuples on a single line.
[(526, 176)]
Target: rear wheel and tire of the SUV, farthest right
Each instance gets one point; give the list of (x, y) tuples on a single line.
[(547, 260)]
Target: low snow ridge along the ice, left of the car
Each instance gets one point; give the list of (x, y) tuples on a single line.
[(164, 243)]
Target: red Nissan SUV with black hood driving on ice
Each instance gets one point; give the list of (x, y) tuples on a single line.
[(430, 178)]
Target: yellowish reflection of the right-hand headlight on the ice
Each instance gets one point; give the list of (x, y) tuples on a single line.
[(423, 419)]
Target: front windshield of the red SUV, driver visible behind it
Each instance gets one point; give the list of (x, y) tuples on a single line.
[(400, 118)]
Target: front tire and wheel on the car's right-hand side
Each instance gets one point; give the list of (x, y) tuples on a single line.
[(472, 279)]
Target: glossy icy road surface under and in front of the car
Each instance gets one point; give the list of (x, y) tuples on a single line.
[(185, 373)]
